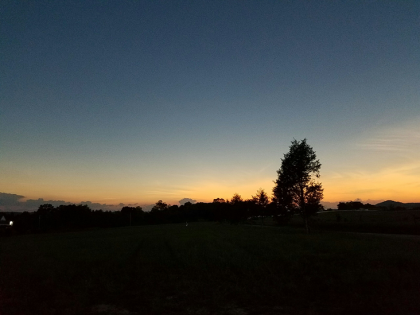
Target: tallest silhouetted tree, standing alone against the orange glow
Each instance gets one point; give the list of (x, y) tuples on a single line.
[(296, 189)]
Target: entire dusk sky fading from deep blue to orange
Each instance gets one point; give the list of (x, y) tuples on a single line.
[(131, 102)]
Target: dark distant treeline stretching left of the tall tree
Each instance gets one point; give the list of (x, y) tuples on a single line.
[(69, 217)]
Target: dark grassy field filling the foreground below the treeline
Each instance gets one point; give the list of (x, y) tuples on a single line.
[(208, 268)]
